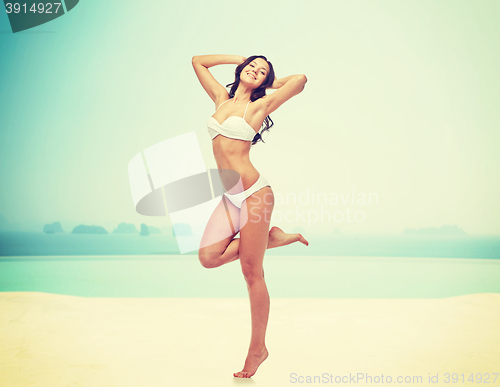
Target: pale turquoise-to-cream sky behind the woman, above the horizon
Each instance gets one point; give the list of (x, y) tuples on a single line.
[(401, 103)]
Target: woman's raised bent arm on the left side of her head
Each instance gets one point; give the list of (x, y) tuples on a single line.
[(201, 64)]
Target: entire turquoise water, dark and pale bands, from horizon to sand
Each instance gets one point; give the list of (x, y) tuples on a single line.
[(340, 266)]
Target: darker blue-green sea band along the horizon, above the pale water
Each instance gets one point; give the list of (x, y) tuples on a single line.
[(383, 245)]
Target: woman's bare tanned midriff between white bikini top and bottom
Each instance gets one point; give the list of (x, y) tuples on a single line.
[(235, 155)]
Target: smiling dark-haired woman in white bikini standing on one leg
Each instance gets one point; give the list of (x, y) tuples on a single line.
[(245, 207)]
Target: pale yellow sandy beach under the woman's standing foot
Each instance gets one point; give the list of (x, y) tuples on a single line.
[(58, 340)]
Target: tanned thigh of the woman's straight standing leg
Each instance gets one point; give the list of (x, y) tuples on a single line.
[(254, 233)]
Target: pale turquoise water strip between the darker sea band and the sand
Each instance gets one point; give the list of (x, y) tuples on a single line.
[(290, 276)]
